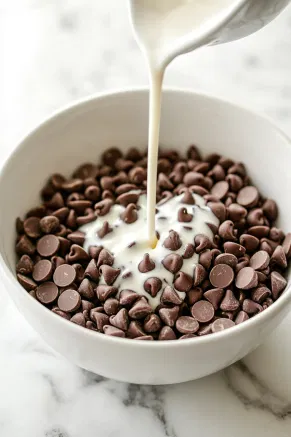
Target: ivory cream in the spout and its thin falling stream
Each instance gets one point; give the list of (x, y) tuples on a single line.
[(165, 29)]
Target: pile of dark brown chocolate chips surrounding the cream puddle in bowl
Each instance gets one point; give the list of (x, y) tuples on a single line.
[(239, 275)]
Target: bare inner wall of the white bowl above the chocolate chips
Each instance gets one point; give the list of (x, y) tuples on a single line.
[(82, 132)]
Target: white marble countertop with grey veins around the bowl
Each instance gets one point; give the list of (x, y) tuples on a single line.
[(57, 51)]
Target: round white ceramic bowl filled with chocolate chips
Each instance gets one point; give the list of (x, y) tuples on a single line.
[(81, 133)]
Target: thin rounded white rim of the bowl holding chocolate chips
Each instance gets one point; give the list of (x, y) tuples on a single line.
[(72, 106)]
